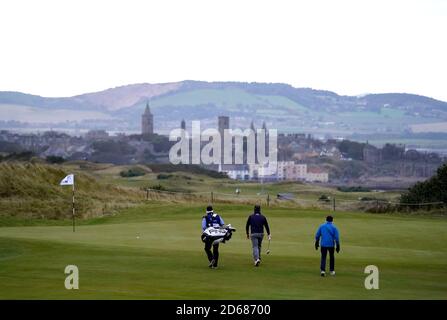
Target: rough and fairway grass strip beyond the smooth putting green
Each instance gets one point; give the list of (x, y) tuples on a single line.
[(32, 190)]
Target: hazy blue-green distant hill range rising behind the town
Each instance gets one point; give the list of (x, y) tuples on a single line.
[(281, 105)]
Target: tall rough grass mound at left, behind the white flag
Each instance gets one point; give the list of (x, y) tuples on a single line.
[(33, 190)]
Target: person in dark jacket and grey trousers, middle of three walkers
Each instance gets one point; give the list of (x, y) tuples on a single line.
[(256, 222)]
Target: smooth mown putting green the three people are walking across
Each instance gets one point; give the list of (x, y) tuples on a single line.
[(167, 260)]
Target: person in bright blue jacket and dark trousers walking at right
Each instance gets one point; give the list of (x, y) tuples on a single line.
[(328, 233)]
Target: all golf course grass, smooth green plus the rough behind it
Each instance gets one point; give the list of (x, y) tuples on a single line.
[(152, 250)]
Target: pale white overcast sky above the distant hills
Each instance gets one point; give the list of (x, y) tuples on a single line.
[(68, 47)]
